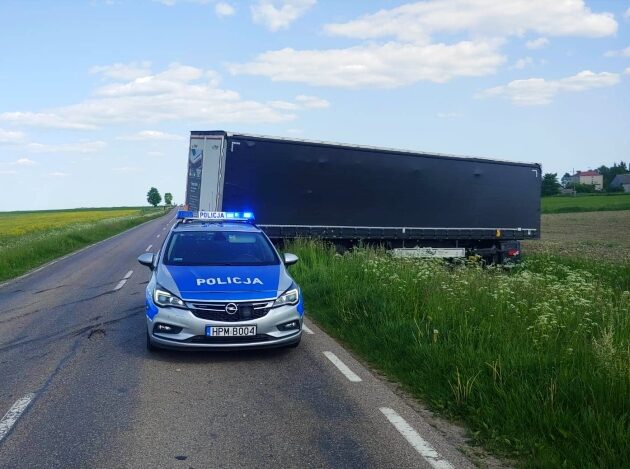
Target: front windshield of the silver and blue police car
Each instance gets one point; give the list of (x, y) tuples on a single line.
[(219, 248)]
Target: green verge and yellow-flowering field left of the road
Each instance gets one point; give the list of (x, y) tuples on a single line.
[(30, 239)]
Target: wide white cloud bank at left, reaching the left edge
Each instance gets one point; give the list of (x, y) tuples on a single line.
[(177, 93)]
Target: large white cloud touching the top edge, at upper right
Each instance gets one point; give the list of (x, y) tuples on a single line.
[(417, 21)]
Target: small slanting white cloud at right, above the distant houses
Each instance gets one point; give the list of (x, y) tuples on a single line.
[(538, 91)]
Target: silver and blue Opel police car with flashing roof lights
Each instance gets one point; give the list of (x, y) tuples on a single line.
[(218, 282)]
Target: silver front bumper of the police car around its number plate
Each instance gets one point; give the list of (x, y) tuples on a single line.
[(193, 330)]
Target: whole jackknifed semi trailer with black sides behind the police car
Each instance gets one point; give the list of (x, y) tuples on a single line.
[(420, 204)]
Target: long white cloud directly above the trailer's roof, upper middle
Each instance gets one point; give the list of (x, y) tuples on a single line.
[(387, 66)]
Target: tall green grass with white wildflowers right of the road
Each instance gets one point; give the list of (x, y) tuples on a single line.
[(535, 361)]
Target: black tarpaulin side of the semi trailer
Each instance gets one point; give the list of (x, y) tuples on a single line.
[(293, 183)]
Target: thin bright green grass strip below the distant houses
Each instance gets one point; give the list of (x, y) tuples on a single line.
[(585, 203)]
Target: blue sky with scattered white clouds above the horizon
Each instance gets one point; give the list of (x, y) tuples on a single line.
[(98, 97)]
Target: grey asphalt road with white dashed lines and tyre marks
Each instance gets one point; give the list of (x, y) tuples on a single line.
[(79, 388)]
